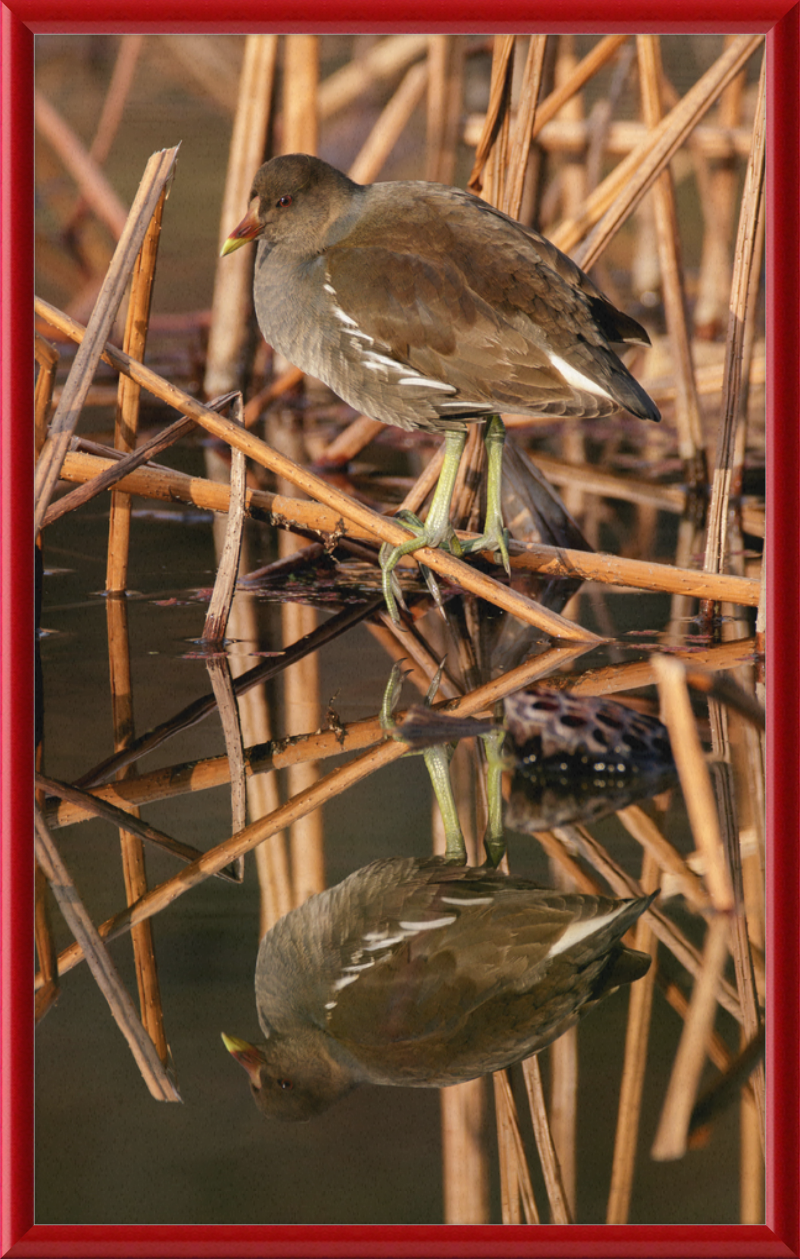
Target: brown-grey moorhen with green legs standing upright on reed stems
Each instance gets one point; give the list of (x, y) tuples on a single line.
[(426, 308)]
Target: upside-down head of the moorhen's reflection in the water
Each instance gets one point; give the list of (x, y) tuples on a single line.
[(290, 1081)]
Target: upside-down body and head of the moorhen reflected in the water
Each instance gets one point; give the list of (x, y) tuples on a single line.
[(425, 974)]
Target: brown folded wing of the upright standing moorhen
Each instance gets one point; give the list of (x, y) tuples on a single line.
[(494, 314)]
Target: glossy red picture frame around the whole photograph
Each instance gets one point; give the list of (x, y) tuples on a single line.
[(22, 20)]
